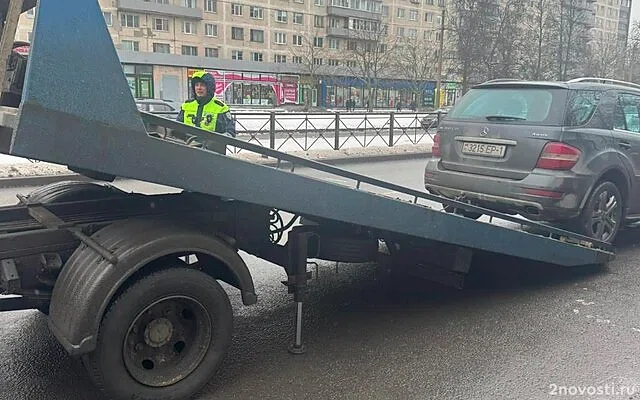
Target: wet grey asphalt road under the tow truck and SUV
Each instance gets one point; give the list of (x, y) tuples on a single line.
[(517, 331)]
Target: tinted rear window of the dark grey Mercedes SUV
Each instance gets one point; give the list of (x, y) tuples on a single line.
[(525, 105)]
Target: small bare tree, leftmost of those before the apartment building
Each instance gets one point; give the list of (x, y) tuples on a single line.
[(311, 55)]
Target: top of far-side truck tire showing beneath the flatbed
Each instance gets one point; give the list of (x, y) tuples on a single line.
[(59, 192)]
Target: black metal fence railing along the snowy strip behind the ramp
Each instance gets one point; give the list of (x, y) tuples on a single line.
[(291, 131)]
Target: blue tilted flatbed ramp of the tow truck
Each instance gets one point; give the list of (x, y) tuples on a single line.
[(78, 111)]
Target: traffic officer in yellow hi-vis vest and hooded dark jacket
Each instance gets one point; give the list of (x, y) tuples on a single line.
[(205, 111)]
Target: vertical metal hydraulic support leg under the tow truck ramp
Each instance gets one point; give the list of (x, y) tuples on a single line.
[(297, 273)]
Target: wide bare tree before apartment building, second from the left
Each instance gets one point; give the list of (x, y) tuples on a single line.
[(370, 54)]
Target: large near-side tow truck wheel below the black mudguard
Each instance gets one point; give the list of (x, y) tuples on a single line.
[(163, 337)]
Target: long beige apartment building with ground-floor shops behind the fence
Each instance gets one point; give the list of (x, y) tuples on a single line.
[(254, 47)]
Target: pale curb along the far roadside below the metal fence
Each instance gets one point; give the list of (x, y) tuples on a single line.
[(40, 180)]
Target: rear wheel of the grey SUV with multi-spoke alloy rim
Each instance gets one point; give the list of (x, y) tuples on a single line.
[(602, 215)]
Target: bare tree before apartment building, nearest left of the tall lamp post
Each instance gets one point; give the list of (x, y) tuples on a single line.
[(416, 62)]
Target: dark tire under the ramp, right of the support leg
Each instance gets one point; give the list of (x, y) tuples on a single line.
[(347, 249)]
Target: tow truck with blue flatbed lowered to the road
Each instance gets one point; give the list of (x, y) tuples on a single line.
[(130, 282)]
